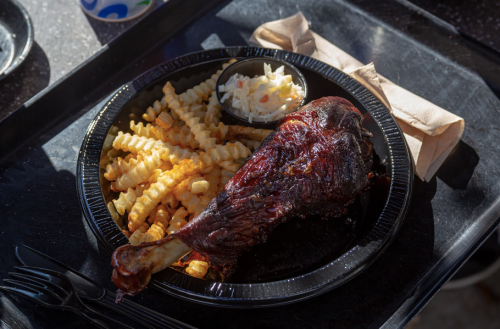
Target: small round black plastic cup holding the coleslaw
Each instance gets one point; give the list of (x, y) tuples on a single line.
[(251, 67)]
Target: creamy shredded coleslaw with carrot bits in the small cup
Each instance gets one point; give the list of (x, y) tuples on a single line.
[(263, 98)]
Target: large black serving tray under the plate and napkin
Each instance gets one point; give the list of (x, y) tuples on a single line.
[(449, 217)]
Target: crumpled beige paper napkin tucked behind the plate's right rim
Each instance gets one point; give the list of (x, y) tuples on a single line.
[(430, 131)]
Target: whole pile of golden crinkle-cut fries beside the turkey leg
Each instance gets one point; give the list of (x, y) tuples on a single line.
[(169, 169)]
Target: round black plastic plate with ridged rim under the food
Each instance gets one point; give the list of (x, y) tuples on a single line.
[(368, 242)]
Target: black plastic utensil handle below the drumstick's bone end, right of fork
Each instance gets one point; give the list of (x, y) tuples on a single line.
[(142, 315)]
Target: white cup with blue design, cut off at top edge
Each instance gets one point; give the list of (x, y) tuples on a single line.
[(115, 10)]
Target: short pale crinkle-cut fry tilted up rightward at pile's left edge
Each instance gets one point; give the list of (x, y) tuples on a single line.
[(141, 172)]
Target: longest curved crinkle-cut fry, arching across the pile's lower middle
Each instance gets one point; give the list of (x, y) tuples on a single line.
[(186, 168)]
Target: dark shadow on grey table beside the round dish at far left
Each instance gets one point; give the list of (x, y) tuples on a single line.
[(25, 82)]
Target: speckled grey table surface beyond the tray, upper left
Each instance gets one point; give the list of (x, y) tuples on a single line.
[(64, 38)]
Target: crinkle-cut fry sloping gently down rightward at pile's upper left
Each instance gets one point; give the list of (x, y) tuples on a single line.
[(136, 144)]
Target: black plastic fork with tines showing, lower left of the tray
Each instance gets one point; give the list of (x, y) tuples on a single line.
[(54, 290)]
